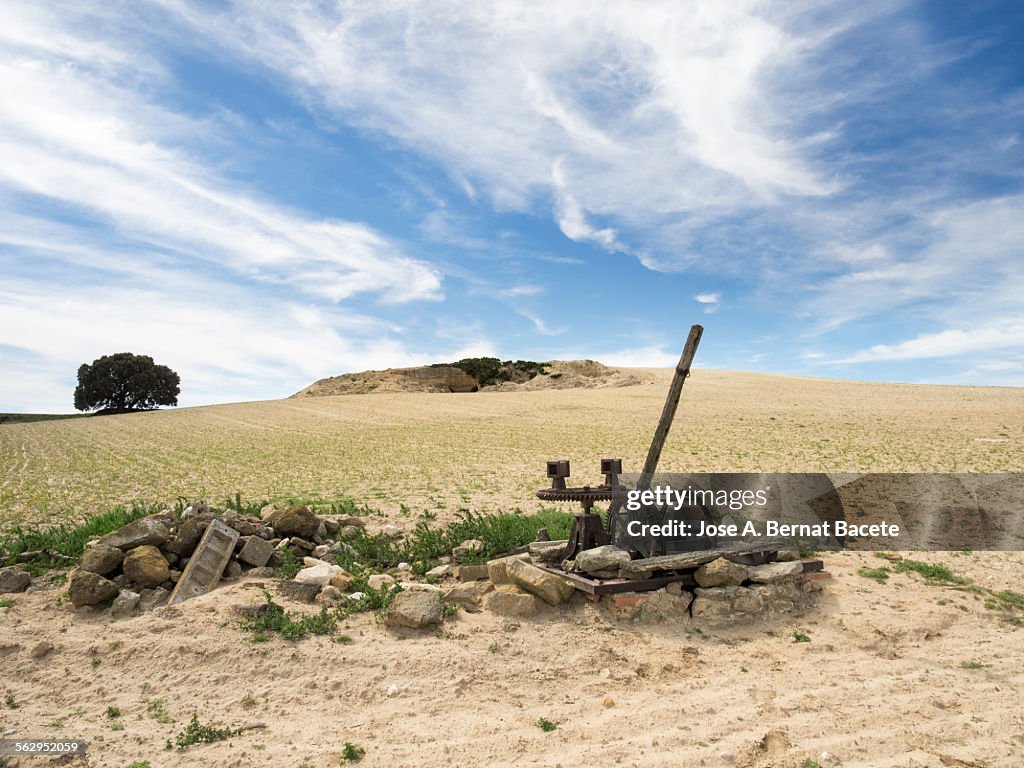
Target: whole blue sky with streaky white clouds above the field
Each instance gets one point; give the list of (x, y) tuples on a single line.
[(260, 195)]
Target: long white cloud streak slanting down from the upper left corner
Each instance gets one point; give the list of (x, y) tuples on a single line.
[(72, 134)]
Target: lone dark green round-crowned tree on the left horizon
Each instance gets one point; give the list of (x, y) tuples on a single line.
[(124, 382)]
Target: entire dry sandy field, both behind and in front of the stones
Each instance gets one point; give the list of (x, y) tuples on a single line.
[(893, 675)]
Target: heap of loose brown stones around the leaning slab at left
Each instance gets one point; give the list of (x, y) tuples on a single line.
[(137, 568)]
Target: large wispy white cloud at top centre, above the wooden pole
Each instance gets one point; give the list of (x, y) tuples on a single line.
[(634, 116)]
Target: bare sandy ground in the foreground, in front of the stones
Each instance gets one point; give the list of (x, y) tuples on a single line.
[(881, 684)]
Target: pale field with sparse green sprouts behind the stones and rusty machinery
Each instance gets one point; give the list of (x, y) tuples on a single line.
[(487, 451)]
